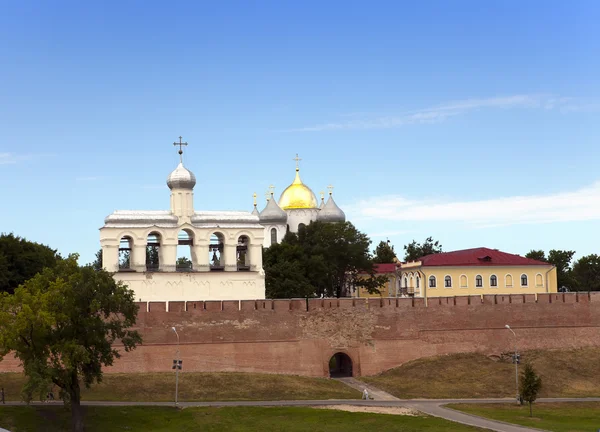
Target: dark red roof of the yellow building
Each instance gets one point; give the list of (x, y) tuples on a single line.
[(477, 257)]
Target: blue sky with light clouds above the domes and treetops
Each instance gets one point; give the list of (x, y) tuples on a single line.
[(474, 122)]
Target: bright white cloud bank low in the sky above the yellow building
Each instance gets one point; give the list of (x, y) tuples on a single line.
[(579, 205)]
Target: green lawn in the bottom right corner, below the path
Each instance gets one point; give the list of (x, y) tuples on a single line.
[(558, 417)]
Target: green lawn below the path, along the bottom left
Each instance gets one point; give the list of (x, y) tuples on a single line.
[(233, 419)]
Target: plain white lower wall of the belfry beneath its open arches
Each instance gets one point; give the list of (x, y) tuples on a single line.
[(194, 286)]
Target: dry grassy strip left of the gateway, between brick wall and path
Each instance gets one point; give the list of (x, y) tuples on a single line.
[(201, 387)]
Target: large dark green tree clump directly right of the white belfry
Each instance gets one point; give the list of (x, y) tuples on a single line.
[(323, 259)]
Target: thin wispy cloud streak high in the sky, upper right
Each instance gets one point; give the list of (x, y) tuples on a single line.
[(440, 113)]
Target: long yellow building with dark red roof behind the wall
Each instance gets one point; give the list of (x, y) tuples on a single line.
[(475, 271)]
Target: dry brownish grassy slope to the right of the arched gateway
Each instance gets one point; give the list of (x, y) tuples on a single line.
[(565, 373)]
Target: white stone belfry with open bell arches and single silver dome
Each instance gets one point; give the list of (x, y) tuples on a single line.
[(224, 250)]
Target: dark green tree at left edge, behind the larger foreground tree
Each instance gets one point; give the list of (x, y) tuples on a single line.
[(21, 259)]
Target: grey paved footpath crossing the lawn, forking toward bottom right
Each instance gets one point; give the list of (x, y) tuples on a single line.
[(432, 407)]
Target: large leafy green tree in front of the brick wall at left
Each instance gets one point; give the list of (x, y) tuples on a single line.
[(61, 324)]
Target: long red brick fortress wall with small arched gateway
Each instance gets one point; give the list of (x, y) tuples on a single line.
[(300, 336)]
